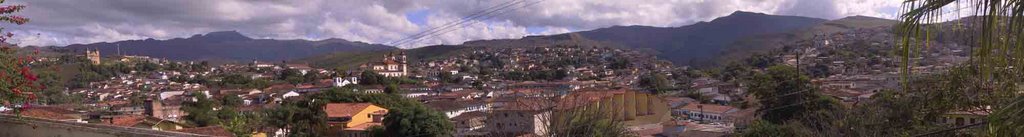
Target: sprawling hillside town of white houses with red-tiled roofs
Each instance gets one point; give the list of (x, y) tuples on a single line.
[(476, 92)]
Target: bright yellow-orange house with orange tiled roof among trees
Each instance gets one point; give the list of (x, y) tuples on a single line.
[(353, 120)]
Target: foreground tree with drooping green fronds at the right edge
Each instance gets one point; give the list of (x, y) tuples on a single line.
[(1000, 39)]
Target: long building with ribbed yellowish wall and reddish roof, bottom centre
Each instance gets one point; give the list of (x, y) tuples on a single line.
[(531, 117)]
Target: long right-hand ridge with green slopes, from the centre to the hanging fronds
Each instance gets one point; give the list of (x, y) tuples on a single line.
[(734, 36)]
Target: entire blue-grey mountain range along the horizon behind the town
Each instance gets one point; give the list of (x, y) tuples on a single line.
[(730, 37)]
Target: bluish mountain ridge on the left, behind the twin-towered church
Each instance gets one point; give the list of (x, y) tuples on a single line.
[(230, 47)]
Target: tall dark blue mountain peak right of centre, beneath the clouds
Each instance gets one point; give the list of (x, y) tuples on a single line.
[(695, 43)]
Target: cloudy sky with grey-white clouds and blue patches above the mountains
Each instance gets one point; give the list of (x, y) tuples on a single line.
[(61, 23)]
